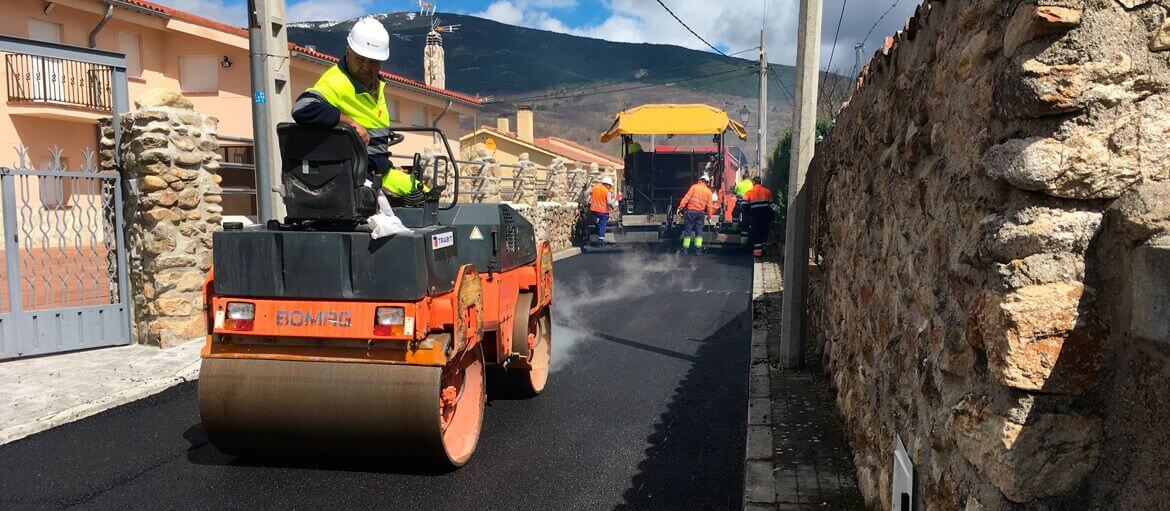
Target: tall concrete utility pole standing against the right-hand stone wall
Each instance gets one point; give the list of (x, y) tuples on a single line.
[(804, 137)]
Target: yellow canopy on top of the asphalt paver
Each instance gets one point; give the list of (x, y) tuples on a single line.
[(673, 120)]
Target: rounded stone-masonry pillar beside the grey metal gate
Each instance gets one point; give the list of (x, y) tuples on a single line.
[(169, 149)]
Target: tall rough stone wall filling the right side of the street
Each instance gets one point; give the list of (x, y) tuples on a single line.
[(990, 211)]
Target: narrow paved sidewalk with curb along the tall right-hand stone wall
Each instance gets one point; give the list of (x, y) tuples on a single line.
[(797, 457)]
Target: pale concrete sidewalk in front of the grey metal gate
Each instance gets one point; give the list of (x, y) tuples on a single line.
[(45, 392)]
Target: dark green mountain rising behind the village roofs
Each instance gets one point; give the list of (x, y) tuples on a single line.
[(576, 84)]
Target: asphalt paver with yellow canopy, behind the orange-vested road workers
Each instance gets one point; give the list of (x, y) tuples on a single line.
[(657, 179)]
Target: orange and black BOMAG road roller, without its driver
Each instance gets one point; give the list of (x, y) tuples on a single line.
[(326, 343)]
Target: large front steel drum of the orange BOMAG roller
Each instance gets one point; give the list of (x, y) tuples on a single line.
[(368, 412)]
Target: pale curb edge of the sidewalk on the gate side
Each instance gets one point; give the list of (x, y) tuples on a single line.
[(146, 390)]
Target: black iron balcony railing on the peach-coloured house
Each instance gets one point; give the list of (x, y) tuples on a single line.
[(59, 81)]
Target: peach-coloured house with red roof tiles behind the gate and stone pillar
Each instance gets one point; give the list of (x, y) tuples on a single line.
[(50, 102)]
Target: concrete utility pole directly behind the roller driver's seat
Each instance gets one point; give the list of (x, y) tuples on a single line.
[(269, 56)]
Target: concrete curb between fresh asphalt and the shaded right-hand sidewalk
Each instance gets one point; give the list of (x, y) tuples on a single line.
[(759, 460)]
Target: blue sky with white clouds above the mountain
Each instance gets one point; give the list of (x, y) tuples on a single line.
[(729, 25)]
